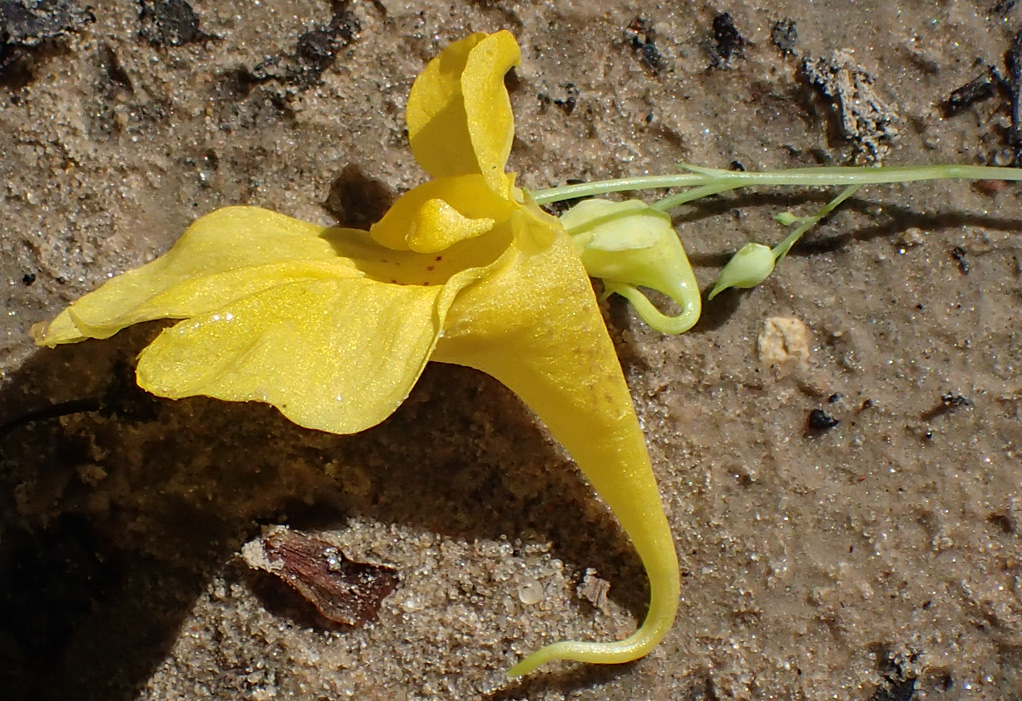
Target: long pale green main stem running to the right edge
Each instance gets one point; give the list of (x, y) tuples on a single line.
[(713, 178)]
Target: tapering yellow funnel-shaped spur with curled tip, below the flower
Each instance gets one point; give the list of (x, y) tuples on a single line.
[(534, 324)]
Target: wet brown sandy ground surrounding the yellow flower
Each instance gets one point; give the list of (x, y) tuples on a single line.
[(880, 559)]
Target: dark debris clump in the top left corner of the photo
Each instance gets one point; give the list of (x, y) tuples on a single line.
[(28, 26)]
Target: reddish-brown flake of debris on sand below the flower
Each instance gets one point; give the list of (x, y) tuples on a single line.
[(342, 590)]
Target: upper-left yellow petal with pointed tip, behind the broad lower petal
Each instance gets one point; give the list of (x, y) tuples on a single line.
[(227, 255)]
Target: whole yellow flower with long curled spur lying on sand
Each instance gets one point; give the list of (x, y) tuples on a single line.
[(335, 326)]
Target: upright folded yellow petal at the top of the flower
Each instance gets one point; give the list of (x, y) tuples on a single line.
[(459, 115)]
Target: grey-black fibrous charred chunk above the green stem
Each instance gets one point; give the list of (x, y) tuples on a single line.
[(867, 120)]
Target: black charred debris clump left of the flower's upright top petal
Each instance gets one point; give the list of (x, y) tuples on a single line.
[(316, 52)]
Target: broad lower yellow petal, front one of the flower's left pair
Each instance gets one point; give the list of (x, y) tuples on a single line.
[(339, 356)]
